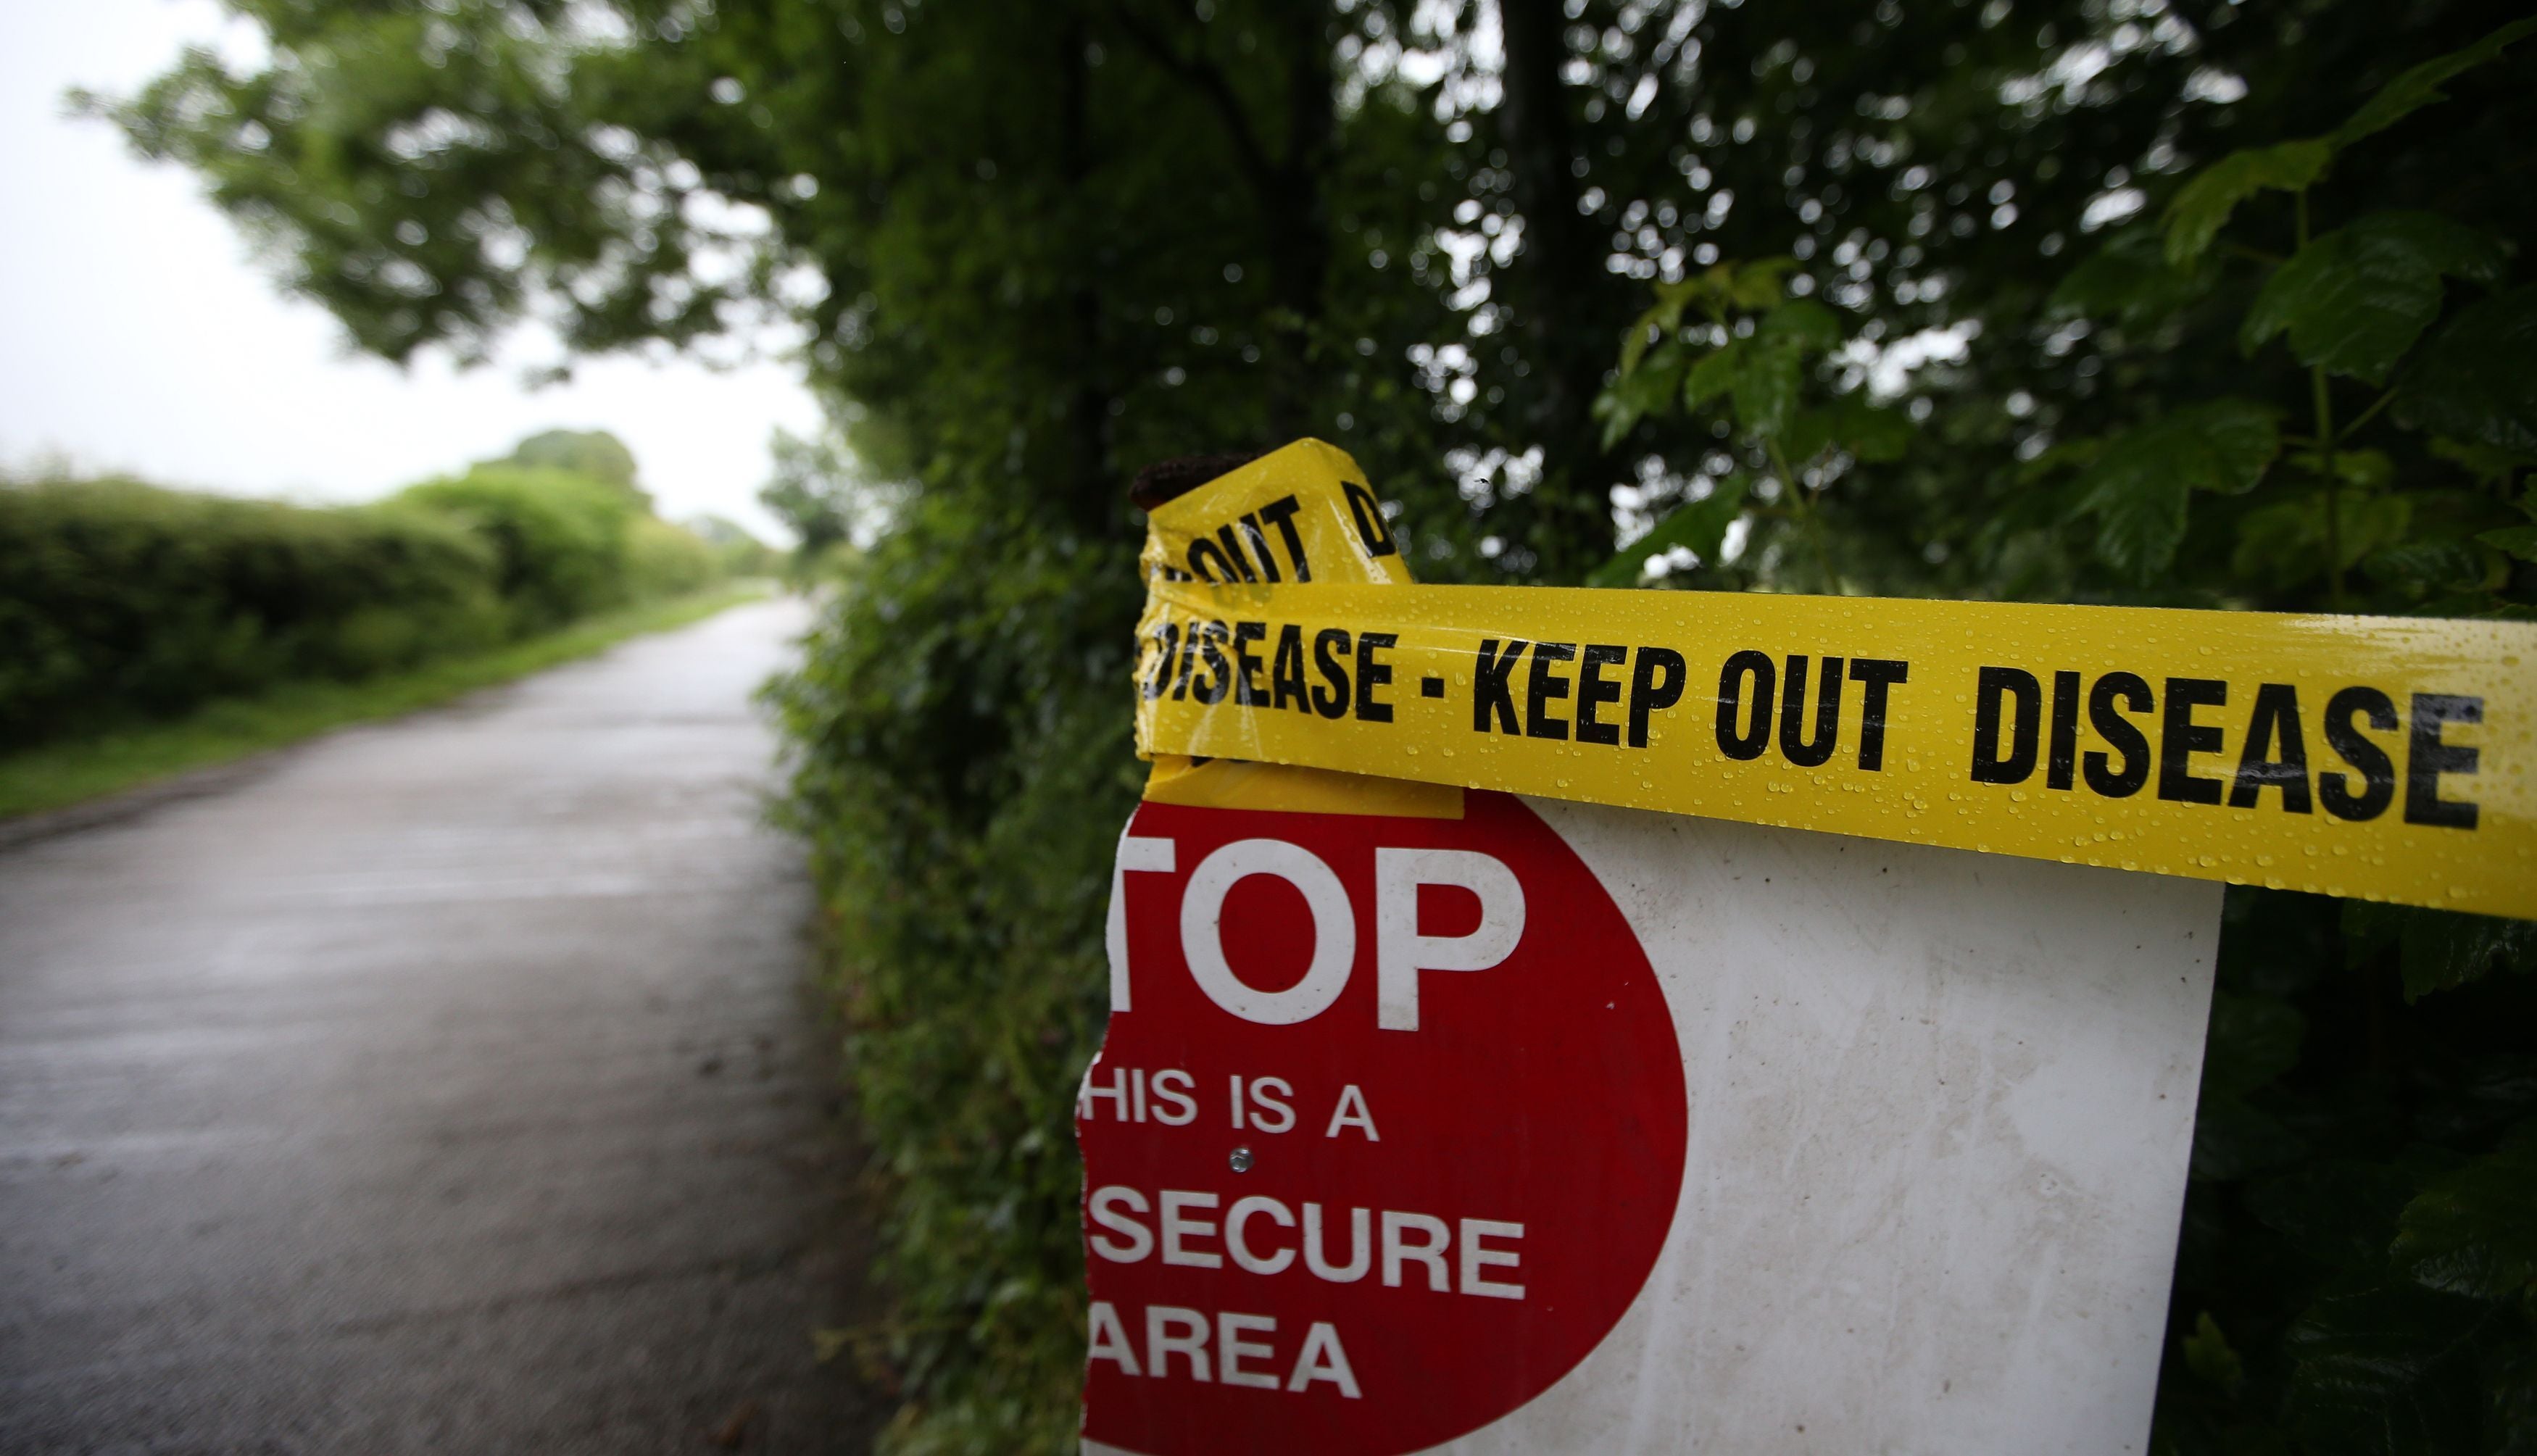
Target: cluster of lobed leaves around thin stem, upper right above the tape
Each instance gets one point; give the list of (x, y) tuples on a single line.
[(2351, 306)]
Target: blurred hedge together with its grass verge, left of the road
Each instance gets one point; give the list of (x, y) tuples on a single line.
[(156, 630)]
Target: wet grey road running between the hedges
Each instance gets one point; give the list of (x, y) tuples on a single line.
[(448, 1087)]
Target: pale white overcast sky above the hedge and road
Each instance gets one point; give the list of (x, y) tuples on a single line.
[(138, 336)]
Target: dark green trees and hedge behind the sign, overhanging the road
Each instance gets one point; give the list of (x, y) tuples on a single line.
[(2079, 301)]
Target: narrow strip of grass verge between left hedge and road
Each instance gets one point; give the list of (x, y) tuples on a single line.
[(98, 765)]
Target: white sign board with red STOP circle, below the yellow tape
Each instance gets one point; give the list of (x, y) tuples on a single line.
[(1934, 1125)]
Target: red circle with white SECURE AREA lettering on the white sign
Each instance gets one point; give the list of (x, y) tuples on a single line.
[(1386, 1135)]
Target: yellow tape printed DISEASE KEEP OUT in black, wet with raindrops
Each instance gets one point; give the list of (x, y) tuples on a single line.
[(2343, 755)]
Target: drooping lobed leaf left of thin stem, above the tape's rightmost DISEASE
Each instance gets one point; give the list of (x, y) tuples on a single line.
[(2140, 483)]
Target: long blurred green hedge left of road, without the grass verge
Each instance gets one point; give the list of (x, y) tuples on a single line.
[(121, 600)]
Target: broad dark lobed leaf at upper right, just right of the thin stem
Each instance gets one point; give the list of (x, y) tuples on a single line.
[(2358, 298)]
